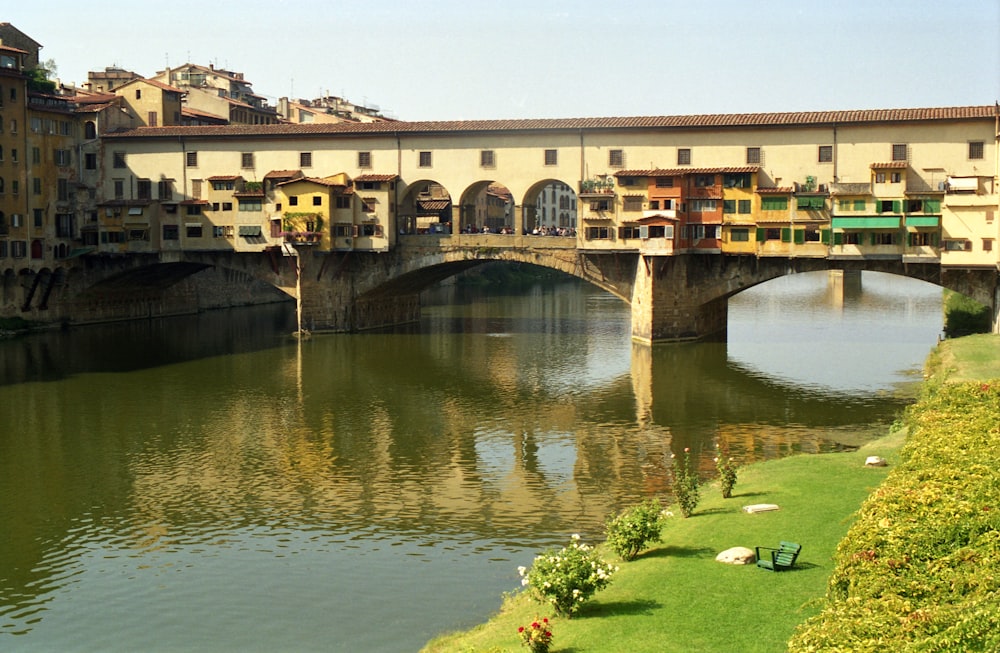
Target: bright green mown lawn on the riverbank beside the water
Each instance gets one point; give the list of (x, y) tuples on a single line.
[(675, 597)]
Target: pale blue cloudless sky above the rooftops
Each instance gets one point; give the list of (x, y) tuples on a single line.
[(472, 59)]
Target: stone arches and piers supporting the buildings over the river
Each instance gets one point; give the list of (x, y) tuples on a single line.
[(673, 298)]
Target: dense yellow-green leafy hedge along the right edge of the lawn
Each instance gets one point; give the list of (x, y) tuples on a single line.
[(920, 568)]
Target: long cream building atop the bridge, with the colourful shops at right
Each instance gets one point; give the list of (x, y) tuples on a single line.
[(916, 184)]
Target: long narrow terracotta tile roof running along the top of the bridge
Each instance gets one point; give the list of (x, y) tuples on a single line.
[(706, 121)]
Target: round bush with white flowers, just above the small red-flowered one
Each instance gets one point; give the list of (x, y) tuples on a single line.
[(567, 577)]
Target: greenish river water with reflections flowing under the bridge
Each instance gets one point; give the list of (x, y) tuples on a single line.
[(208, 484)]
